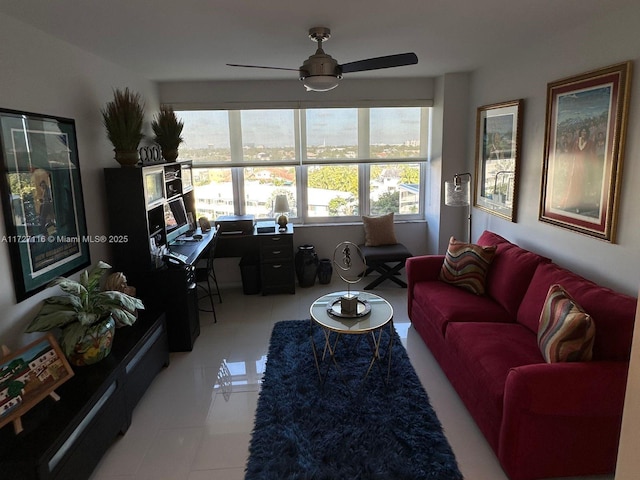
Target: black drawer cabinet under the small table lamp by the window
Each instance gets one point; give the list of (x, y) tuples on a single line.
[(277, 273)]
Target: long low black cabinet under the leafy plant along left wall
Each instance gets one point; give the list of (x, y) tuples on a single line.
[(65, 440)]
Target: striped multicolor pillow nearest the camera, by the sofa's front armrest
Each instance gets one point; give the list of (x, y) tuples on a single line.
[(566, 333)]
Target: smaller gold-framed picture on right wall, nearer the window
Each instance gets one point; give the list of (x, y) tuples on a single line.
[(498, 145)]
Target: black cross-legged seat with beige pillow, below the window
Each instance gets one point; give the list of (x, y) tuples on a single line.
[(382, 252)]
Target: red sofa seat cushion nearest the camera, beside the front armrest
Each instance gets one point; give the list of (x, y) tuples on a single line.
[(486, 353)]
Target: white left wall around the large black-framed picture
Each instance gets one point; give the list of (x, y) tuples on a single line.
[(41, 74)]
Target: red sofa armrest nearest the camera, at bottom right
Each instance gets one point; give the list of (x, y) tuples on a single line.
[(562, 419)]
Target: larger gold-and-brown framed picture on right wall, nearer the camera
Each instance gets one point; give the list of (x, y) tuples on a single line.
[(586, 123)]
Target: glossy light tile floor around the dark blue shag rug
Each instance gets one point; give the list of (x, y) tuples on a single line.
[(195, 421)]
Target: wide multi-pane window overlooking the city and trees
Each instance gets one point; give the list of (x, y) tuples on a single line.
[(334, 164)]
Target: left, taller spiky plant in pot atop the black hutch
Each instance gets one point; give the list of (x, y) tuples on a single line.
[(123, 117)]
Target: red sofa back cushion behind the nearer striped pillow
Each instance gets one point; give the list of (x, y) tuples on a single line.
[(613, 313)]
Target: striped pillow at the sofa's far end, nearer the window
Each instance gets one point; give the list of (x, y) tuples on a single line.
[(466, 265)]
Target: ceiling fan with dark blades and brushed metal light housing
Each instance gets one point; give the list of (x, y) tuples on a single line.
[(321, 72)]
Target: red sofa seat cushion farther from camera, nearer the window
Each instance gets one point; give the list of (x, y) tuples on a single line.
[(443, 303)]
